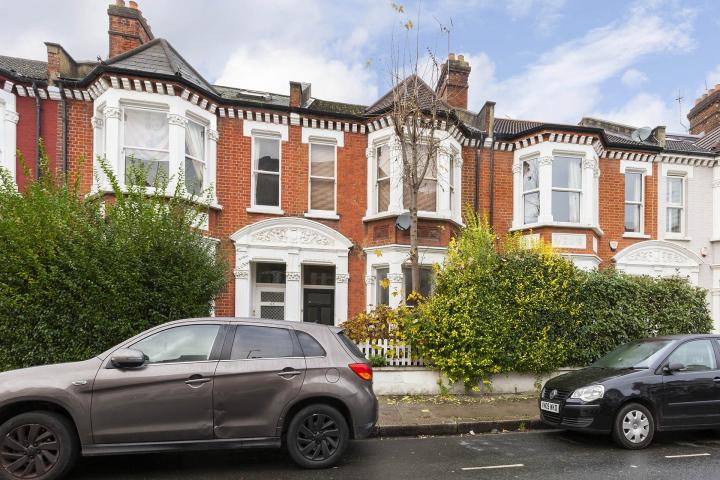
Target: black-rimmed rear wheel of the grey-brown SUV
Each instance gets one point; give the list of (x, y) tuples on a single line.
[(317, 436)]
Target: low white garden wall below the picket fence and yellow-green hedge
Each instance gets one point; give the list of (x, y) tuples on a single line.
[(427, 381)]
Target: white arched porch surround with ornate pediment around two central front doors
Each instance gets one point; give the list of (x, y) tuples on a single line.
[(293, 241)]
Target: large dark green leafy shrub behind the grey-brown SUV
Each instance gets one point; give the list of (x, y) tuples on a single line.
[(78, 275)]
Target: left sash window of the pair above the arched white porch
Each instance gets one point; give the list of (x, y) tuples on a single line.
[(266, 171)]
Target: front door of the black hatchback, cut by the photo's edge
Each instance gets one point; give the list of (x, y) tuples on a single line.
[(691, 397)]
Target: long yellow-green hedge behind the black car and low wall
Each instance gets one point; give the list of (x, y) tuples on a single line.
[(503, 306)]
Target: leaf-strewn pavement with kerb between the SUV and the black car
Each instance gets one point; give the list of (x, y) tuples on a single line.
[(413, 415)]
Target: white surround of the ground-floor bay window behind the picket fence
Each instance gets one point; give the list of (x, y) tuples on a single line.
[(394, 257)]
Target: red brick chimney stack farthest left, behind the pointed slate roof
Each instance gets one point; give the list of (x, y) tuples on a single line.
[(128, 28)]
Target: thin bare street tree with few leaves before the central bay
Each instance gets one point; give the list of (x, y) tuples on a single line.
[(419, 120)]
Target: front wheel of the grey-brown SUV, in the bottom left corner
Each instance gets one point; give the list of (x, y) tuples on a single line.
[(37, 446)]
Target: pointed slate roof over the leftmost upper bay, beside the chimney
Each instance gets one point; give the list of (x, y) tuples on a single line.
[(158, 57)]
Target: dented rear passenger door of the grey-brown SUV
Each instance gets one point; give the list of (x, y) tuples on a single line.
[(261, 370)]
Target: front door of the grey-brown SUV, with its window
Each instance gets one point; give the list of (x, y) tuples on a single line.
[(168, 399)]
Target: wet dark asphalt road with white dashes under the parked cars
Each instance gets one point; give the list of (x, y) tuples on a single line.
[(529, 455)]
